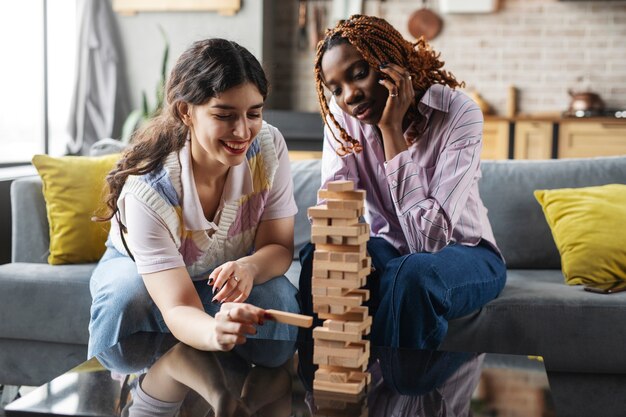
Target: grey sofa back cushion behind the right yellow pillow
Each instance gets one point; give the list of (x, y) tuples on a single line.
[(519, 226)]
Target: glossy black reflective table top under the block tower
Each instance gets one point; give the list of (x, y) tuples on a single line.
[(154, 374)]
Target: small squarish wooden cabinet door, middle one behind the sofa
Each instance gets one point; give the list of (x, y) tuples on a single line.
[(533, 139)]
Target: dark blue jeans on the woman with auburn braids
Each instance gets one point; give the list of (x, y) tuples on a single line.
[(412, 297)]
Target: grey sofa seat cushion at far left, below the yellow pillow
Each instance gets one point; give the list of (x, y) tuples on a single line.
[(44, 302)]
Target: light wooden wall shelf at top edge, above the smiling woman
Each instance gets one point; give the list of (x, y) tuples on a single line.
[(223, 7)]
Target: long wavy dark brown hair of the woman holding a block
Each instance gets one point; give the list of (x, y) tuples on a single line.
[(205, 70)]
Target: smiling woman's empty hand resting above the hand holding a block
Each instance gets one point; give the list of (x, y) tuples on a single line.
[(232, 282)]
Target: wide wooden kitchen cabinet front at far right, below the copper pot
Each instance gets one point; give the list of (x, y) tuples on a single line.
[(585, 138)]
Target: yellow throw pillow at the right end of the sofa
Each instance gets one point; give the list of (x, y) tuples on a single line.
[(589, 229)]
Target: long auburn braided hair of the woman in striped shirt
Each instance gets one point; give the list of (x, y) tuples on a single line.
[(379, 42)]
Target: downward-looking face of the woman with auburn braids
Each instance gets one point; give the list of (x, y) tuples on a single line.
[(354, 83)]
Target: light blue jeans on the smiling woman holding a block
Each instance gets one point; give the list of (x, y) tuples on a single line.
[(122, 306)]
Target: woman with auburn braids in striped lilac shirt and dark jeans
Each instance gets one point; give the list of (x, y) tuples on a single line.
[(396, 126)]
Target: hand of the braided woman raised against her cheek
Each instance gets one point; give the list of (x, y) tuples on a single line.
[(401, 95)]
